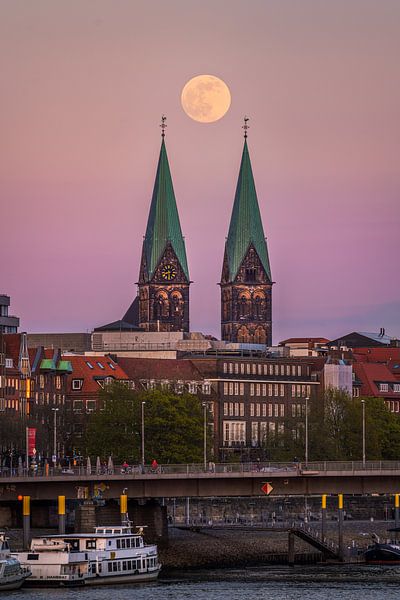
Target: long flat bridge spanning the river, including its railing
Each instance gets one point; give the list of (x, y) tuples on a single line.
[(224, 480)]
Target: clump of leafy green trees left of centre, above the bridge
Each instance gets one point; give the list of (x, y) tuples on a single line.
[(173, 426)]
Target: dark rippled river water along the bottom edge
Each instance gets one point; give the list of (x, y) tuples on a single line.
[(264, 583)]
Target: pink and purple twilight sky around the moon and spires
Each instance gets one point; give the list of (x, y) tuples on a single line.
[(83, 85)]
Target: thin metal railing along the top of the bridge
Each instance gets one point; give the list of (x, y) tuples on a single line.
[(289, 469)]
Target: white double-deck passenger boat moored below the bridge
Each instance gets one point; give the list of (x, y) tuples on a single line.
[(112, 554)]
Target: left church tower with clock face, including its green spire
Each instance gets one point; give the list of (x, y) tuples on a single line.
[(164, 275)]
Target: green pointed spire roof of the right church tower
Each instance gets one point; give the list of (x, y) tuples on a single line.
[(246, 226)]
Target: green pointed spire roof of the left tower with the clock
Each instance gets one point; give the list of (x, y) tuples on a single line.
[(163, 225)]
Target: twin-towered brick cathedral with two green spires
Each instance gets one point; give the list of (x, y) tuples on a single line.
[(162, 304)]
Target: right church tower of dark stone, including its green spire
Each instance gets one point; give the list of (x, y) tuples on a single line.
[(246, 282)]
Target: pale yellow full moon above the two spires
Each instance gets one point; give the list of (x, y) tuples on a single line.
[(206, 98)]
